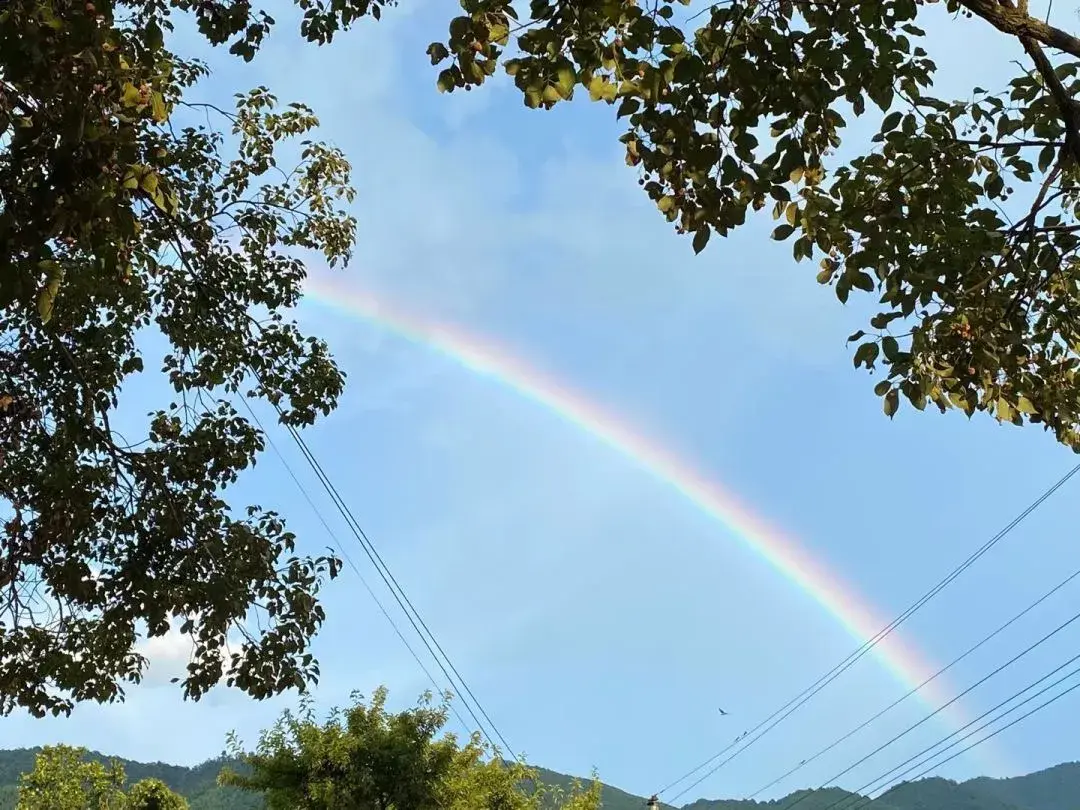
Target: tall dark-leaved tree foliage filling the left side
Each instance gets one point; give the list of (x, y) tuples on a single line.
[(142, 229)]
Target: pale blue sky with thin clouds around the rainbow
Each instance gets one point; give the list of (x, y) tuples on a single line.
[(599, 616)]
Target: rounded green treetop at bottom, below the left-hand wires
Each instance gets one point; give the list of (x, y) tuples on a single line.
[(367, 759)]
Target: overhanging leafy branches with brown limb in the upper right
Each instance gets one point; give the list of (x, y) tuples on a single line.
[(963, 219)]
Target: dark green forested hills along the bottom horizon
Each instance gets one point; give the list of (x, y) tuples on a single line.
[(1055, 789)]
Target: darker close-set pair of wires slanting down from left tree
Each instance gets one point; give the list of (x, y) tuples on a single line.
[(400, 597)]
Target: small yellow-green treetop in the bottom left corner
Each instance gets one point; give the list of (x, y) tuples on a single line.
[(65, 779)]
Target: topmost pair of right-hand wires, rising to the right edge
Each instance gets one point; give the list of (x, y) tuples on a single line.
[(777, 718)]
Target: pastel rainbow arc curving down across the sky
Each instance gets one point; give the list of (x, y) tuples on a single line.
[(785, 555)]
